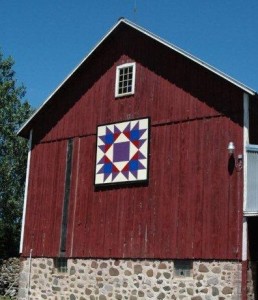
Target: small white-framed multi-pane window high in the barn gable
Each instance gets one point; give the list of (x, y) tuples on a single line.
[(125, 80)]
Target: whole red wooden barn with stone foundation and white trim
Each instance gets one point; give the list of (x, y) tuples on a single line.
[(141, 179)]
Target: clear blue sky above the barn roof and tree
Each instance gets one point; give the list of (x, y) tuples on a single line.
[(49, 38)]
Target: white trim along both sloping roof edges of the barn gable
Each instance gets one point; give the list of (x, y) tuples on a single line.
[(160, 40)]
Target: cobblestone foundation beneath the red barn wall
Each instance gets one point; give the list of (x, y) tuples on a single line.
[(128, 279)]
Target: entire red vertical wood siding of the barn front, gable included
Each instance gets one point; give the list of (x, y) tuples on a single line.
[(192, 205)]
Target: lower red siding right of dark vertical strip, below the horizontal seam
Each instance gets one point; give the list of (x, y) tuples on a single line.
[(183, 204)]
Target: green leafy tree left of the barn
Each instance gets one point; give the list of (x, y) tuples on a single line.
[(13, 157)]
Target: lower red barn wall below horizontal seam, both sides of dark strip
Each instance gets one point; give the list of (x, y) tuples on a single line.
[(191, 199)]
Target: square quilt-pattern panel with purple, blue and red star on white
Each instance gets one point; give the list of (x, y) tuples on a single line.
[(122, 152)]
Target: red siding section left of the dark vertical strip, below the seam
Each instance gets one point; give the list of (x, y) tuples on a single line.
[(45, 199)]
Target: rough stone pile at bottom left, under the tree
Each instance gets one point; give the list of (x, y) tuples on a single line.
[(9, 277)]
